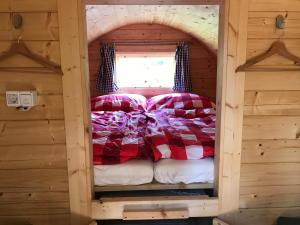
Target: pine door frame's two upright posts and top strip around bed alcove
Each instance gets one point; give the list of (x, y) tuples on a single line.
[(230, 97)]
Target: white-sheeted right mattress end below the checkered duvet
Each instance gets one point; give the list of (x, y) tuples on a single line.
[(170, 171)]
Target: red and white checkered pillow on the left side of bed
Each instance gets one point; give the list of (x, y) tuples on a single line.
[(119, 102)]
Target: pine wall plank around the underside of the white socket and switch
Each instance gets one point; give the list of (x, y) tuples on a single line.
[(48, 107)]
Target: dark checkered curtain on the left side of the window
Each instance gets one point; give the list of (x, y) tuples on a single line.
[(105, 82)]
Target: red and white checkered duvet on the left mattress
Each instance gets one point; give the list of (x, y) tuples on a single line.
[(118, 136)]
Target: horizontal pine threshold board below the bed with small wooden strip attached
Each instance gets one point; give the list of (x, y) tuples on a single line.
[(150, 208)]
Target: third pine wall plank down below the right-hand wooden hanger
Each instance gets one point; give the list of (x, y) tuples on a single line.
[(271, 127)]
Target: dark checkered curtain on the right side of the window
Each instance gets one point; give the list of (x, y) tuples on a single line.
[(182, 78)]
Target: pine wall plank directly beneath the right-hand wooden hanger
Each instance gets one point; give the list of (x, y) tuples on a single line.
[(274, 81)]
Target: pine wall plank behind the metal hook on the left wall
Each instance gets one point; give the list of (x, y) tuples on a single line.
[(38, 26)]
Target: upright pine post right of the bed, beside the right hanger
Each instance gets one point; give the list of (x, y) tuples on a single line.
[(230, 101)]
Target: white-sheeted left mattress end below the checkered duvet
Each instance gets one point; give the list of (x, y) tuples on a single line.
[(132, 172)]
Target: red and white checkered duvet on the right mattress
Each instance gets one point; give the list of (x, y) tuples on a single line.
[(181, 134)]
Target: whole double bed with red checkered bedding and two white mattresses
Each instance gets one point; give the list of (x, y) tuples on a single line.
[(165, 142)]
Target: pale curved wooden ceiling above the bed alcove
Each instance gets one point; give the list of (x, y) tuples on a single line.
[(200, 21)]
